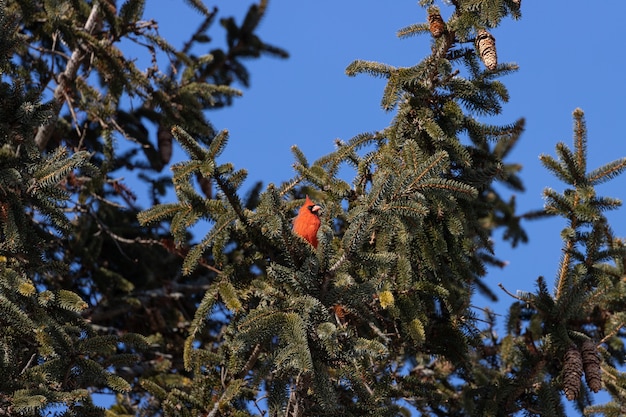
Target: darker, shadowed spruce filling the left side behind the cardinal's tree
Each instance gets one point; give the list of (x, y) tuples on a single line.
[(89, 299)]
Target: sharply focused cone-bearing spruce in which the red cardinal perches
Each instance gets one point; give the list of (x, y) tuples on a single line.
[(377, 320)]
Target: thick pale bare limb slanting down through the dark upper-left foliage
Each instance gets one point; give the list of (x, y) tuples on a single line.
[(66, 78)]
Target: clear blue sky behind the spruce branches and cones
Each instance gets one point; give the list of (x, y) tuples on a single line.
[(570, 53)]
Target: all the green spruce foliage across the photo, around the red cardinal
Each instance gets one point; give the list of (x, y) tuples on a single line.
[(98, 295)]
